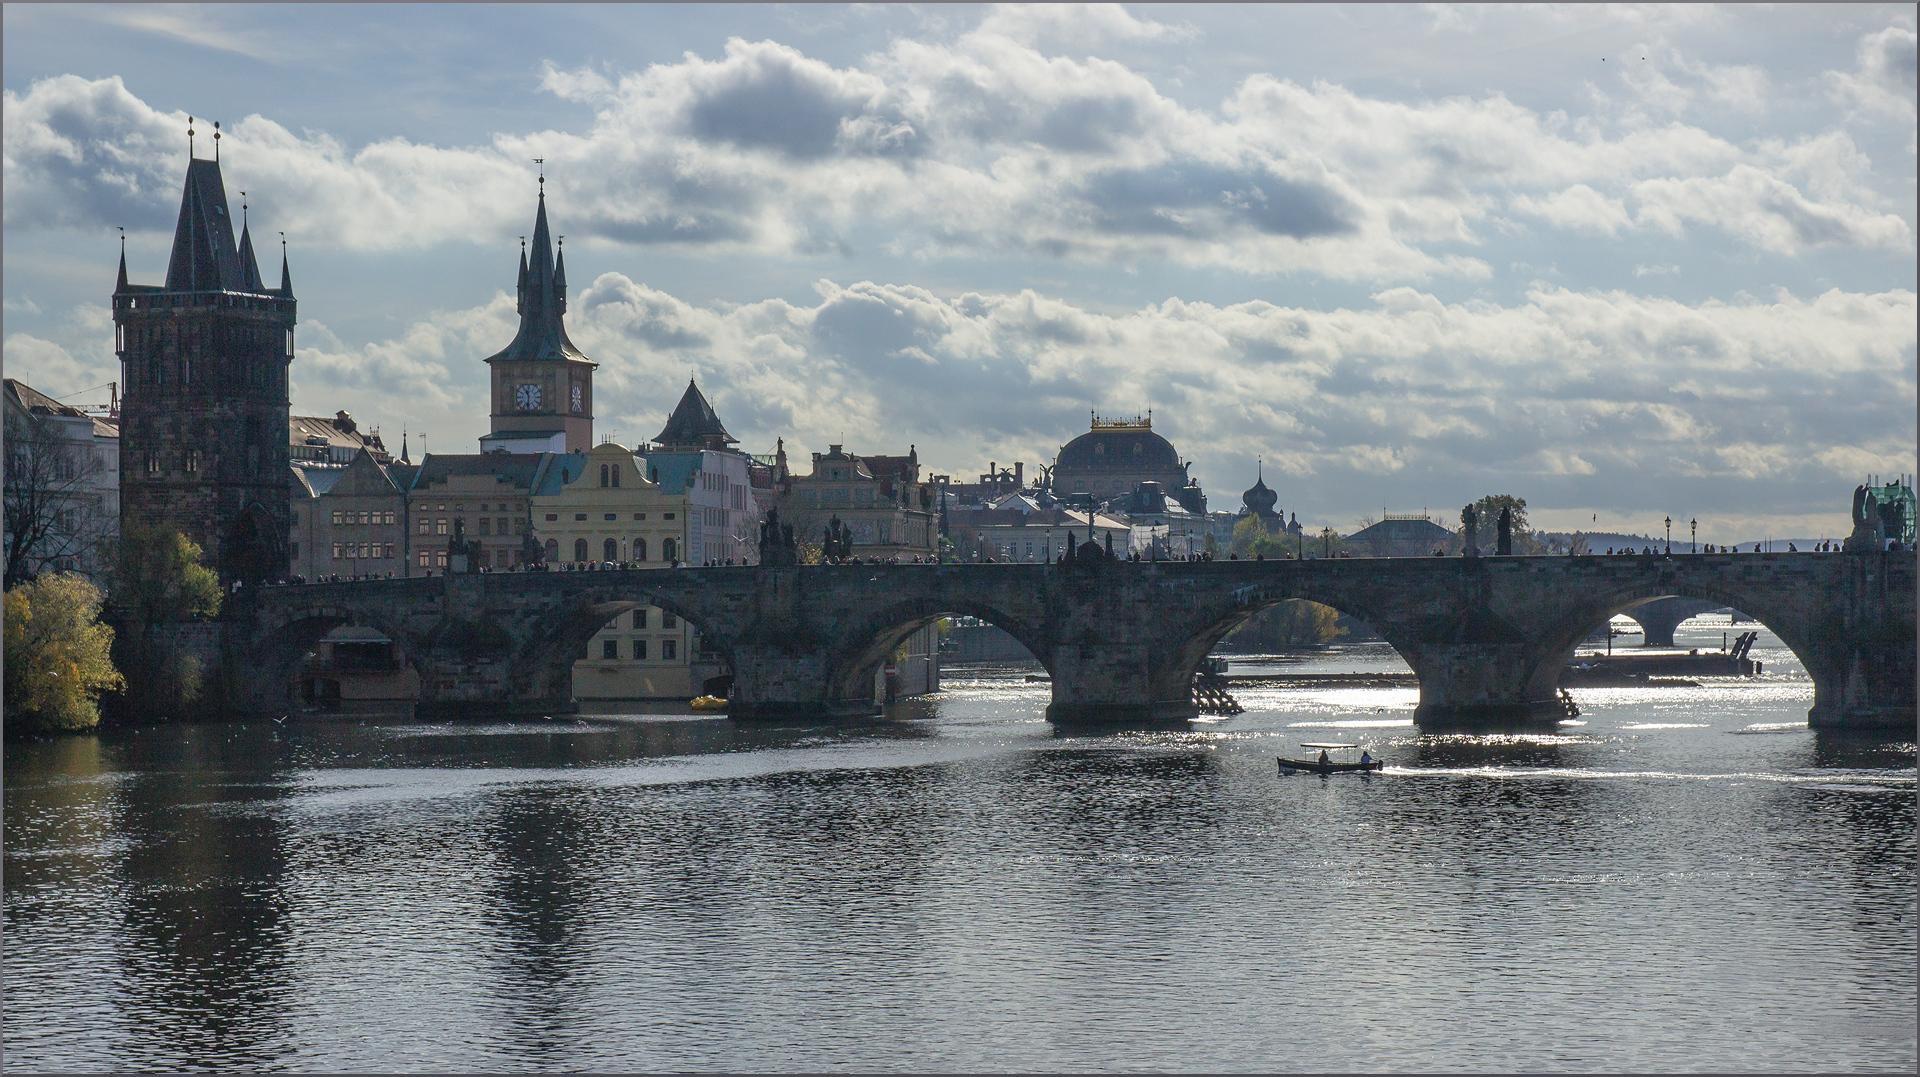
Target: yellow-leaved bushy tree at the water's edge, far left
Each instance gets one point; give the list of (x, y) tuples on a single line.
[(59, 656)]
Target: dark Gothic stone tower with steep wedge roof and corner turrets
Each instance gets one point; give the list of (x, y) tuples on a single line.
[(204, 418)]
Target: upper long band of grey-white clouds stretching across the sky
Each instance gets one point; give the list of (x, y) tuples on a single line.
[(992, 147)]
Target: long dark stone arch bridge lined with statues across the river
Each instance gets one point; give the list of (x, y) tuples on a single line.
[(1122, 640)]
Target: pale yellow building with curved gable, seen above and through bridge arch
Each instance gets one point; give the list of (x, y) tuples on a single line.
[(600, 508)]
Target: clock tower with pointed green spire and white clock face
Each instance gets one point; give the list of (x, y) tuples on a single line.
[(542, 385)]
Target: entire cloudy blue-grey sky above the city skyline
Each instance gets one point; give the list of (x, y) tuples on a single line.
[(1621, 262)]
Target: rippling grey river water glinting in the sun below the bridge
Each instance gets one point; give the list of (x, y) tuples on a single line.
[(1685, 880)]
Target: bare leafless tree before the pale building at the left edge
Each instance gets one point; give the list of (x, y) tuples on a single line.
[(53, 512)]
